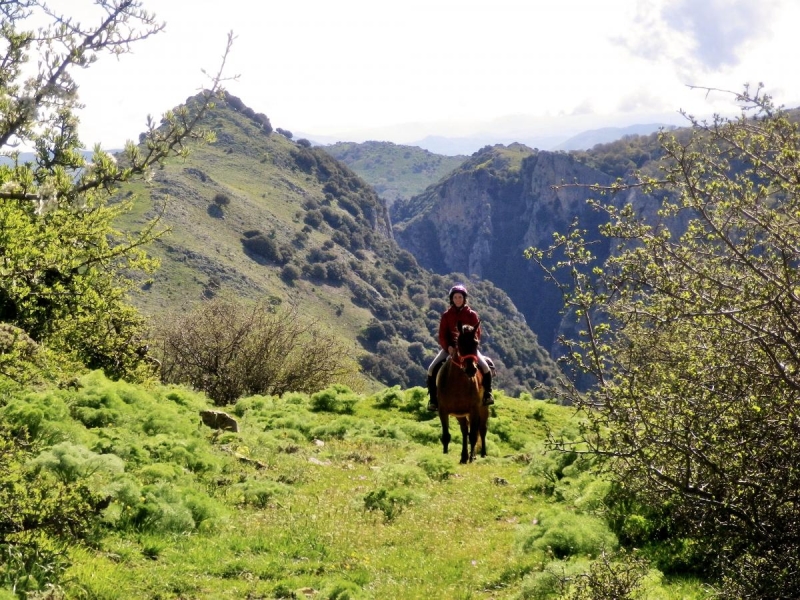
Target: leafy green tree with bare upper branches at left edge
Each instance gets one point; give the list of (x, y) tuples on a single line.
[(64, 270)]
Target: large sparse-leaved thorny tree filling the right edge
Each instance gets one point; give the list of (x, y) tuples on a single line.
[(691, 334)]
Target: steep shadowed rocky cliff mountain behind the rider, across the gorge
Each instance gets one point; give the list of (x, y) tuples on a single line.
[(482, 218)]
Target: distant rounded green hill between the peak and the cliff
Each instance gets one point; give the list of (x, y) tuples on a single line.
[(394, 171)]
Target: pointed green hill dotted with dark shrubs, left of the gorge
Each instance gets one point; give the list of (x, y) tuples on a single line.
[(256, 214)]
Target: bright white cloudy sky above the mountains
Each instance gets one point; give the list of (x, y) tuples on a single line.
[(411, 70)]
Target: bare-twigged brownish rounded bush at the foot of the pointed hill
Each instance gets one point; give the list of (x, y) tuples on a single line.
[(229, 349)]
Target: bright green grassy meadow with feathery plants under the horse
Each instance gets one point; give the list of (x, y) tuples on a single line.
[(331, 495)]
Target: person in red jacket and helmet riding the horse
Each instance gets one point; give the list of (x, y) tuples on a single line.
[(459, 312)]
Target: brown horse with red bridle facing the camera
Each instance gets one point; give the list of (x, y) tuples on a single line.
[(459, 386)]
